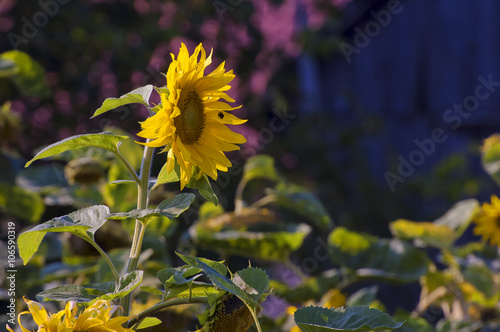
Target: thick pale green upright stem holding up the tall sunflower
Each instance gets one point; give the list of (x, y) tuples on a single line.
[(142, 203)]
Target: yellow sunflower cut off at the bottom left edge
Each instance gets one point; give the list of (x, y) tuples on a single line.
[(95, 318)]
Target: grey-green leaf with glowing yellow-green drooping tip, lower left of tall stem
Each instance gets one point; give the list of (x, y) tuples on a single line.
[(83, 223)]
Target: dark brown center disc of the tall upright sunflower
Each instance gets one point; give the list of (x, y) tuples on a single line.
[(191, 121)]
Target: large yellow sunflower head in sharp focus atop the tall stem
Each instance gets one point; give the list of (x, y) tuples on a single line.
[(192, 118)]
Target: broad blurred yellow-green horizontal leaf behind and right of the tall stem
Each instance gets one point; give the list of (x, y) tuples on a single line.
[(271, 246)]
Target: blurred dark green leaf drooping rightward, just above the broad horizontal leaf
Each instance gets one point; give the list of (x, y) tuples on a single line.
[(304, 203)]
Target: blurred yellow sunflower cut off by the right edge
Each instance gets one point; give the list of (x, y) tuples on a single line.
[(488, 221)]
